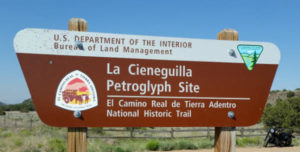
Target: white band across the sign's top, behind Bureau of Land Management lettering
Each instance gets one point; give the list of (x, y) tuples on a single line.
[(37, 41)]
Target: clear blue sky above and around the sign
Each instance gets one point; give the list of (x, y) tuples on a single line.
[(256, 20)]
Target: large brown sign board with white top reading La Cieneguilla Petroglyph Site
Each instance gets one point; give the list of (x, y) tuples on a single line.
[(83, 79)]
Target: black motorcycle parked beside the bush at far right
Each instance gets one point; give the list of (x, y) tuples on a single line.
[(278, 137)]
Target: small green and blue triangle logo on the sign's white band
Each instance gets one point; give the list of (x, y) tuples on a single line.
[(250, 54)]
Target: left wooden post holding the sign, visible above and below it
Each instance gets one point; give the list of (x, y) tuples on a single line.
[(77, 136)]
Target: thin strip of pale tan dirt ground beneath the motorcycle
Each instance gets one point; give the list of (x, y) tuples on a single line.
[(253, 149)]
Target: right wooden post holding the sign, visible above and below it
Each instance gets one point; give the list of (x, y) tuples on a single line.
[(225, 137)]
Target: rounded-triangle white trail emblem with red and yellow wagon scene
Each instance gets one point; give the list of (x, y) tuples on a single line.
[(76, 92)]
